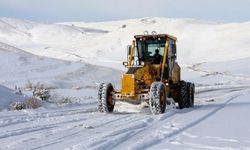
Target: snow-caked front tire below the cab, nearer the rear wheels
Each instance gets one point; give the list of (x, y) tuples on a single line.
[(157, 98)]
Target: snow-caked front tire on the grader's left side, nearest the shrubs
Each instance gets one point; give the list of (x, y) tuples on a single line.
[(106, 102)]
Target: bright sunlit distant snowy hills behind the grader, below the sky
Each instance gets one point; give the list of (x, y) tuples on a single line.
[(106, 41)]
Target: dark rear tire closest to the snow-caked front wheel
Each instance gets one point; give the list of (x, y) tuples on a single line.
[(184, 96)]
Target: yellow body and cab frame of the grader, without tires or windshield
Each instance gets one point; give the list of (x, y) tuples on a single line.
[(136, 82)]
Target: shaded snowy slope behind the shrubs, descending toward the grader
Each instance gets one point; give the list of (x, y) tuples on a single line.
[(21, 66)]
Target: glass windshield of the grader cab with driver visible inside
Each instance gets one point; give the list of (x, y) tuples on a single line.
[(151, 50)]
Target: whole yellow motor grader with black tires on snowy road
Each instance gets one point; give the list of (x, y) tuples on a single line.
[(153, 76)]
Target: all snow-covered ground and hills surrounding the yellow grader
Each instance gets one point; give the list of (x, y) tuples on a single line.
[(72, 58)]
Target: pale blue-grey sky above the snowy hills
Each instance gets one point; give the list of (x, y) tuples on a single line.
[(106, 10)]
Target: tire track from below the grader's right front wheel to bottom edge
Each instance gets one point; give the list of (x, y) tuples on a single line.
[(117, 137)]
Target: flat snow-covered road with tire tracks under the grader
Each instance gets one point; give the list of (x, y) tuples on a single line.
[(217, 123)]
